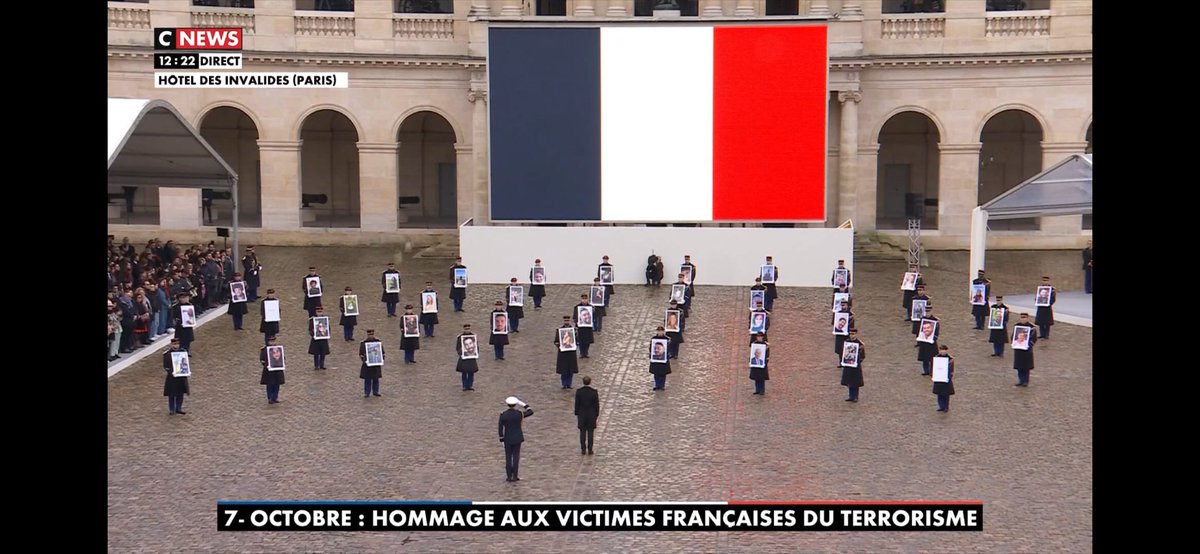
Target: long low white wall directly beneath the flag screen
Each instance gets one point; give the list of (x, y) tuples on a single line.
[(723, 256)]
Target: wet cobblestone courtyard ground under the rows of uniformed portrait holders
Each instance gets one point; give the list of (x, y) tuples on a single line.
[(1025, 453)]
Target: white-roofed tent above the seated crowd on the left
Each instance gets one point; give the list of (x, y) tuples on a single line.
[(152, 146)]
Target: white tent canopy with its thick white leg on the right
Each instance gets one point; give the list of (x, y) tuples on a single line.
[(1063, 190)]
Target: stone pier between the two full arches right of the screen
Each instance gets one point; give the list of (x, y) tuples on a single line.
[(958, 190)]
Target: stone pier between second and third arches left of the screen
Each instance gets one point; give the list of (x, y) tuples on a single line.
[(281, 184)]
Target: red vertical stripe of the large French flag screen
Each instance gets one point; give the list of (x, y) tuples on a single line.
[(770, 123)]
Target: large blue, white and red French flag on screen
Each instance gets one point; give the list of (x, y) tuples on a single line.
[(658, 123)]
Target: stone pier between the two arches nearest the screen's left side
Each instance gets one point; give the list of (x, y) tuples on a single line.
[(379, 195)]
